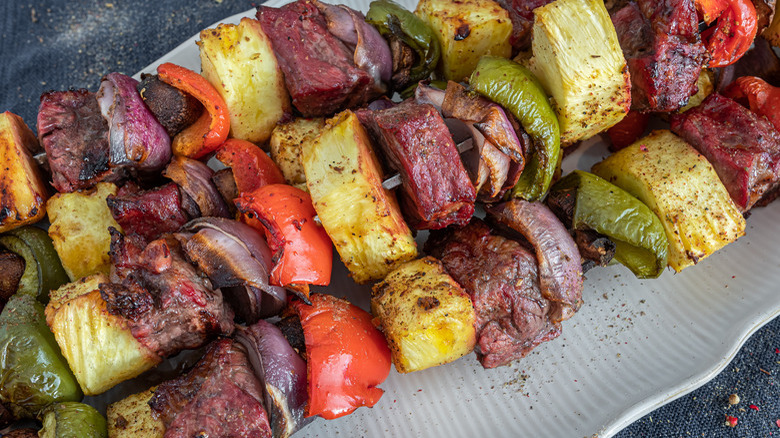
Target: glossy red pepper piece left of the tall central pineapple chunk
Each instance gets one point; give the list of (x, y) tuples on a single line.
[(302, 251)]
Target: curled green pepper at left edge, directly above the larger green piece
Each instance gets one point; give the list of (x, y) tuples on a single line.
[(43, 270)]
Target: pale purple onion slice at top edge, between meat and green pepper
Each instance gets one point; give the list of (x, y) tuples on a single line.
[(371, 51)]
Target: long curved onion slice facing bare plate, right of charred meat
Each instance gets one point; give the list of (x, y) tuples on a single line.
[(560, 266)]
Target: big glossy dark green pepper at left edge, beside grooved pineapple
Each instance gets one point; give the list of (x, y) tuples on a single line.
[(33, 373)]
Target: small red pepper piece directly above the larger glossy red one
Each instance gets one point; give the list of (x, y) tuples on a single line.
[(252, 167)]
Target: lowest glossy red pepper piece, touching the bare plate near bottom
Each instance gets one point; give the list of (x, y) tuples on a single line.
[(347, 357)]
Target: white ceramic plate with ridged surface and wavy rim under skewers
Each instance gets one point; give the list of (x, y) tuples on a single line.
[(634, 346)]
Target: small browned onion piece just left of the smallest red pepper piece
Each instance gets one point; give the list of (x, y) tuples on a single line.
[(195, 178)]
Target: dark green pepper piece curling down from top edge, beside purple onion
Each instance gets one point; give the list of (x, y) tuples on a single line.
[(392, 19)]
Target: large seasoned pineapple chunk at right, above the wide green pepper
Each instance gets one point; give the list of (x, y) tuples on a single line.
[(682, 188)]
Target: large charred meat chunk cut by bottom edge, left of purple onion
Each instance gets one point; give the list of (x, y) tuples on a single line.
[(219, 396)]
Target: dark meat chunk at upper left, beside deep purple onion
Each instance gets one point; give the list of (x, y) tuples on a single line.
[(75, 136)]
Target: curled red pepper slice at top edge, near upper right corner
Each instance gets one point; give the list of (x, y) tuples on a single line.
[(733, 34)]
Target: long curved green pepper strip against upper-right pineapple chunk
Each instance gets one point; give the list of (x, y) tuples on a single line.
[(514, 87)]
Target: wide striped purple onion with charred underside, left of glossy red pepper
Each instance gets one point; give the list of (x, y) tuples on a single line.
[(236, 259)]
